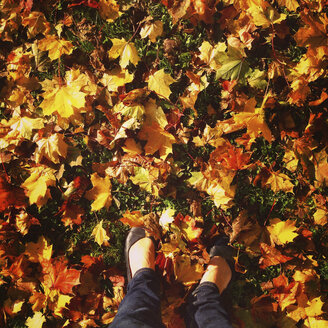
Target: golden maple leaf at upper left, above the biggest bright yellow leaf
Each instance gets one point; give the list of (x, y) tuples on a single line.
[(56, 47)]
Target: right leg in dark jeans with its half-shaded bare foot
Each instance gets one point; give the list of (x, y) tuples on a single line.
[(204, 307)]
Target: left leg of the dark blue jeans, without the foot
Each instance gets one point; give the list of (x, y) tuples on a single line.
[(141, 306)]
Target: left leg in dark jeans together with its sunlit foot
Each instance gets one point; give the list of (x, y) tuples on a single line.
[(141, 304)]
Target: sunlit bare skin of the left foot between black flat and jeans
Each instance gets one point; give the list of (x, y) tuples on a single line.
[(142, 255)]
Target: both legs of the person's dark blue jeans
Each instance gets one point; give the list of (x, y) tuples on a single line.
[(141, 305)]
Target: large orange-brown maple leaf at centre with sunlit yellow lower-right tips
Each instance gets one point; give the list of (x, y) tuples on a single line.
[(157, 140)]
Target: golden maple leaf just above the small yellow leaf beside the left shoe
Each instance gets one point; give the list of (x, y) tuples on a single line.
[(100, 193)]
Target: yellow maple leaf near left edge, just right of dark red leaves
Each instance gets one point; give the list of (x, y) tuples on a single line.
[(37, 184)]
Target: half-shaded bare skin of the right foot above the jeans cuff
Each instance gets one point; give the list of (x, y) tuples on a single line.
[(218, 272)]
